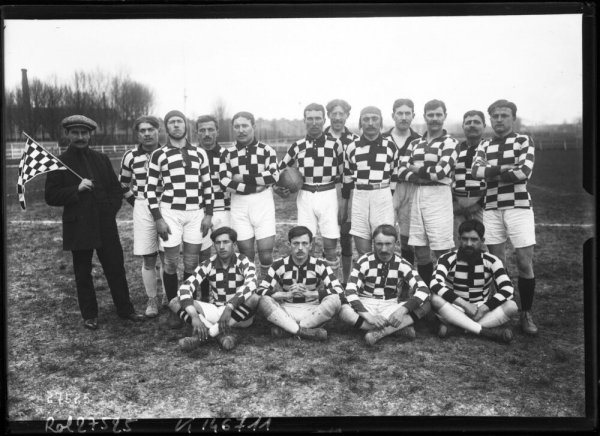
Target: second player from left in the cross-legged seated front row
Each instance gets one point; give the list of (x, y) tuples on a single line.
[(297, 307)]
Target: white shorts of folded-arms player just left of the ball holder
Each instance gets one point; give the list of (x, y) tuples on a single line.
[(253, 216)]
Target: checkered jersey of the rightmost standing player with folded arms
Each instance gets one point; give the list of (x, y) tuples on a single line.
[(515, 151)]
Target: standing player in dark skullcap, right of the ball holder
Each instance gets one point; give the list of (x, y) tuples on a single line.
[(370, 163)]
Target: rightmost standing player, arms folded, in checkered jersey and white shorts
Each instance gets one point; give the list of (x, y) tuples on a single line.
[(506, 163)]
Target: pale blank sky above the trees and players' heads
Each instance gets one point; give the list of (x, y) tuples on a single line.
[(275, 67)]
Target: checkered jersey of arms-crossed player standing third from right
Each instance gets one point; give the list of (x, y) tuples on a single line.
[(436, 159)]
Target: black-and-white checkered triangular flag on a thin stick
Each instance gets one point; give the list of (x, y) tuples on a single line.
[(35, 160)]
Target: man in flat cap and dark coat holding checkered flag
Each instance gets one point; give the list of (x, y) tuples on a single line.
[(91, 196)]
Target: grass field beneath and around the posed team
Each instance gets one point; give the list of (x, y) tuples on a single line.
[(135, 370)]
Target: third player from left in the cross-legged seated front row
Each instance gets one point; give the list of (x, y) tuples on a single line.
[(374, 286)]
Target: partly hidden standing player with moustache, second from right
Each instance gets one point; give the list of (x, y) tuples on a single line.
[(467, 192)]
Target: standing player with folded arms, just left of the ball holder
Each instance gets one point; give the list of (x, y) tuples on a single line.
[(248, 170)]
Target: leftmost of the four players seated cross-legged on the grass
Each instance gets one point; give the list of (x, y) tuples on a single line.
[(232, 302)]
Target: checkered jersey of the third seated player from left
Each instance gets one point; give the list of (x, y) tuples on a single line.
[(372, 278)]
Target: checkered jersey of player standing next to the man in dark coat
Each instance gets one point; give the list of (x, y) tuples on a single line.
[(133, 173)]
